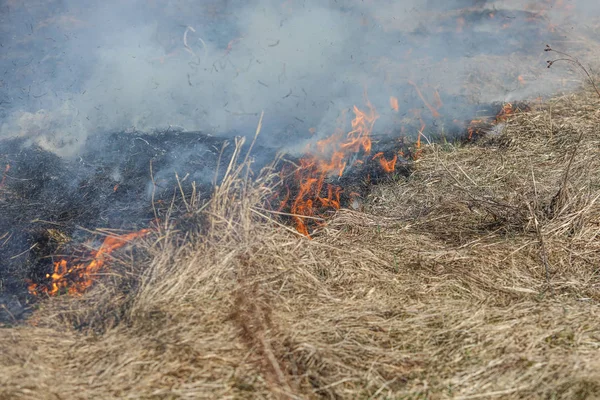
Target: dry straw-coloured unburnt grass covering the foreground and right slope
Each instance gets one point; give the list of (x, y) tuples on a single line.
[(463, 281)]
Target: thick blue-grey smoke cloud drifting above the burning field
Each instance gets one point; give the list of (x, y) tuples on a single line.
[(73, 69)]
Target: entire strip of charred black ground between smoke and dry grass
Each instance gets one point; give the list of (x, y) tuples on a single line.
[(126, 180)]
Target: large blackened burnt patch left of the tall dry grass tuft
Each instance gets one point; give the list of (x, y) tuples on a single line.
[(50, 205)]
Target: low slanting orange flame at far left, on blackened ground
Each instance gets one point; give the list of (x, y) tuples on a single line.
[(76, 278)]
